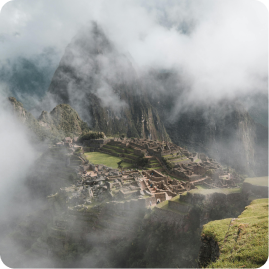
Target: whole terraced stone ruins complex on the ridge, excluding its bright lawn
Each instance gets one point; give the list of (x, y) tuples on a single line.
[(169, 171)]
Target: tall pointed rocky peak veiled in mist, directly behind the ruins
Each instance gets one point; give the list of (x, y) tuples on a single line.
[(102, 86)]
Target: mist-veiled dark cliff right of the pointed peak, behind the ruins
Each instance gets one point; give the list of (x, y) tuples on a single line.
[(226, 133)]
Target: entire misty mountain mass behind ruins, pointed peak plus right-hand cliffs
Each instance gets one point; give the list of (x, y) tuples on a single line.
[(115, 96)]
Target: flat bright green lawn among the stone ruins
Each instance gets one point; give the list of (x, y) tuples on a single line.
[(105, 159)]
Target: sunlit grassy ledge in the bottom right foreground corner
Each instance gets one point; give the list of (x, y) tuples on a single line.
[(244, 243)]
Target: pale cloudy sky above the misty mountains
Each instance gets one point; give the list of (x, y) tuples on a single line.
[(221, 47)]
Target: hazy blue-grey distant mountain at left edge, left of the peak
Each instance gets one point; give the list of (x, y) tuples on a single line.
[(28, 79)]
